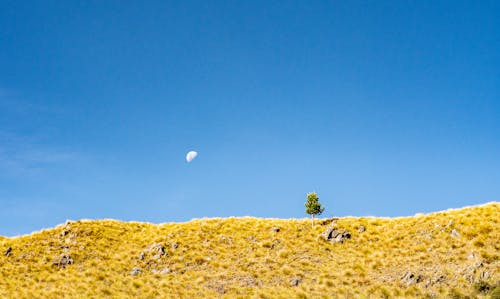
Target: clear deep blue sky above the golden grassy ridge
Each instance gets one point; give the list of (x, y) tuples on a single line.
[(382, 108)]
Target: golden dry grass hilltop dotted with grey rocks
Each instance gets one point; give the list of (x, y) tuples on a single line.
[(446, 254)]
